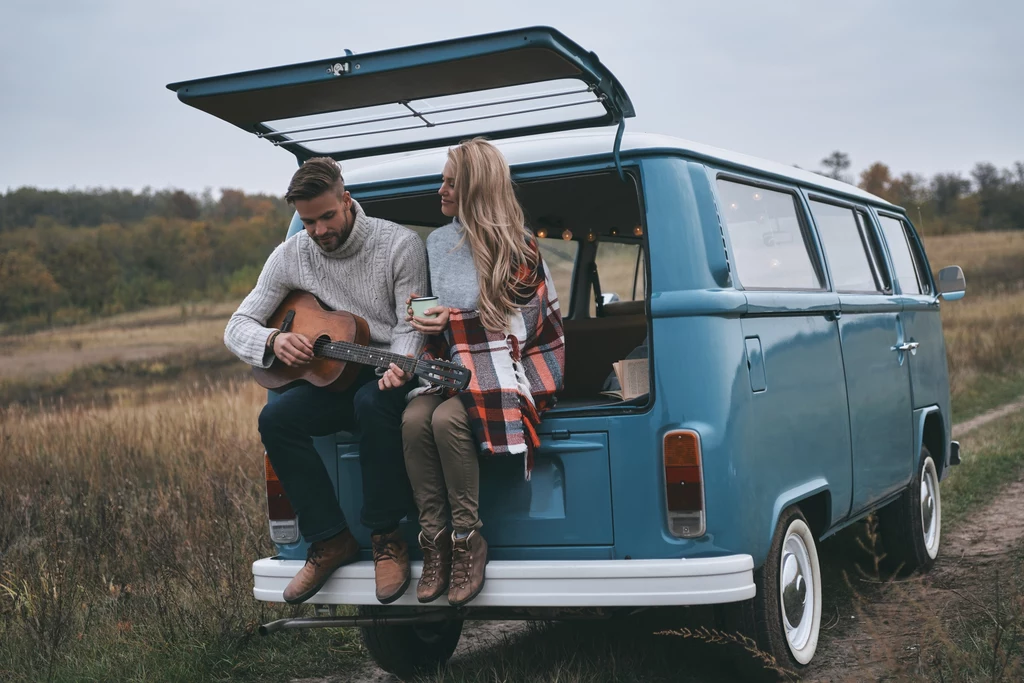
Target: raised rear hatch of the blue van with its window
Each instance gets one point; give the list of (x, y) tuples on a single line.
[(507, 84)]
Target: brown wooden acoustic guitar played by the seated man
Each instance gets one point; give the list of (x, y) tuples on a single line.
[(339, 340)]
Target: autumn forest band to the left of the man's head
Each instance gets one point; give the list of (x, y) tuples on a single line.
[(70, 257)]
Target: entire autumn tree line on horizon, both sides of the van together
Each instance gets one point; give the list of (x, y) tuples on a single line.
[(67, 257)]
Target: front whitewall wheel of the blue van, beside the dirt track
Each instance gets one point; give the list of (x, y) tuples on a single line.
[(912, 525)]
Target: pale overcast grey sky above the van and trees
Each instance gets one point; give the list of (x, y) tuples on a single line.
[(923, 87)]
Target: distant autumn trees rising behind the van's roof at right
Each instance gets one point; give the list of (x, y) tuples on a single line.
[(988, 199)]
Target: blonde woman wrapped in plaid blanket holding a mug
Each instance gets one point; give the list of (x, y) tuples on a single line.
[(498, 316)]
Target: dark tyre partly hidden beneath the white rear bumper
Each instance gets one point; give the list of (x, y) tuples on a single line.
[(408, 651)]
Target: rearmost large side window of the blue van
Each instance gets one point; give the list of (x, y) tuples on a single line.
[(770, 247)]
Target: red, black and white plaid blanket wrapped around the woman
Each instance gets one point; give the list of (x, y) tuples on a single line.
[(517, 372)]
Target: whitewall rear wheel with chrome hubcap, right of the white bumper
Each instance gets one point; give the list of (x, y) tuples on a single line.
[(785, 619)]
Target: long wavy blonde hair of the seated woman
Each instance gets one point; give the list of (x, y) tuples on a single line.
[(502, 245)]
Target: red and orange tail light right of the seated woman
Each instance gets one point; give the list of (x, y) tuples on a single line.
[(685, 484)]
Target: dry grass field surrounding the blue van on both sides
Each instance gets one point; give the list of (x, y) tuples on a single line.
[(132, 503)]
